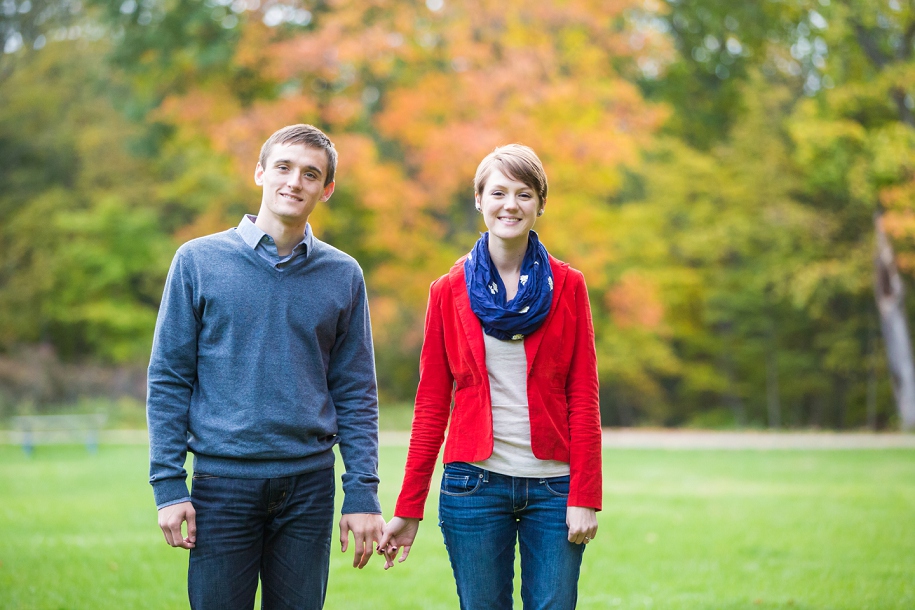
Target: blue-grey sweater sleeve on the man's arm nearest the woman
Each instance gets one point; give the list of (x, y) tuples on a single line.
[(352, 385)]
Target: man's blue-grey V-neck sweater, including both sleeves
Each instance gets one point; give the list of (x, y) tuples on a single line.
[(259, 371)]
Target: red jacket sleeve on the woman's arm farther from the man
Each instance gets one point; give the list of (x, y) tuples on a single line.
[(582, 395)]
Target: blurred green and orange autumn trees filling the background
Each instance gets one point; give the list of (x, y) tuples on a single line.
[(715, 172)]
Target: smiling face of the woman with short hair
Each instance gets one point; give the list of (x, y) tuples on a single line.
[(509, 207)]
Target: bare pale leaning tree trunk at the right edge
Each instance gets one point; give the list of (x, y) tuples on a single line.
[(888, 290)]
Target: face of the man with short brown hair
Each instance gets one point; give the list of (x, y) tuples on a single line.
[(293, 182)]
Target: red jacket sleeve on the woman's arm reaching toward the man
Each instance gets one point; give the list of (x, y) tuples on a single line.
[(431, 411)]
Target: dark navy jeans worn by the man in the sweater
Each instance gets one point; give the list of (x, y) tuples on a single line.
[(279, 529)]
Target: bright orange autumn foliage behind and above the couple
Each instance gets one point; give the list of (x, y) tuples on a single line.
[(440, 90)]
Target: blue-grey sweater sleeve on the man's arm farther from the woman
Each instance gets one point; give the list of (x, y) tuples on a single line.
[(170, 383)]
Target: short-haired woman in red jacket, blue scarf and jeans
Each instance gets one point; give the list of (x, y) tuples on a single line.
[(509, 330)]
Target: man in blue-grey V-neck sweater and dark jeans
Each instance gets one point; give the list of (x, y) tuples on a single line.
[(262, 361)]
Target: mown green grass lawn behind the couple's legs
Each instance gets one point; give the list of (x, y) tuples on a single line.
[(680, 529)]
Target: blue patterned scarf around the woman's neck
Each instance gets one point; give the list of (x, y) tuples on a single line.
[(523, 314)]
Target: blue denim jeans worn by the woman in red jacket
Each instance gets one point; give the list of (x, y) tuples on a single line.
[(482, 513)]
